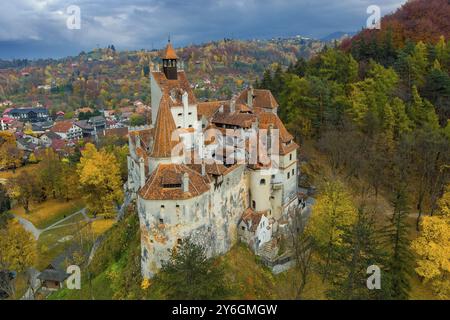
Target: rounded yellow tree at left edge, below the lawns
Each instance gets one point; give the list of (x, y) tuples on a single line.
[(17, 248)]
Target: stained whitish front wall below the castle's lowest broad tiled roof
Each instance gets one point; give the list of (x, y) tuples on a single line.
[(210, 220)]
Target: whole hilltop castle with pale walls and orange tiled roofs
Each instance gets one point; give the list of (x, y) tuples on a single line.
[(214, 171)]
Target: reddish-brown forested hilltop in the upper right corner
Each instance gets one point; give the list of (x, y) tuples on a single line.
[(416, 20)]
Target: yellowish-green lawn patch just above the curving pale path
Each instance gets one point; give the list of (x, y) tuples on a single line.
[(47, 213)]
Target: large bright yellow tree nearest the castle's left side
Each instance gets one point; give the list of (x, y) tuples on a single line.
[(99, 180)]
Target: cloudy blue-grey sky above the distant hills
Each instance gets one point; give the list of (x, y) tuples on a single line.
[(38, 28)]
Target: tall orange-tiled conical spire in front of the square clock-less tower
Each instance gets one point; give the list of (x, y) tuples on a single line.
[(164, 127)]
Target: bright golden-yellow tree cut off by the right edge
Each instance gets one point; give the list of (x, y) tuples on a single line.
[(433, 249)]
